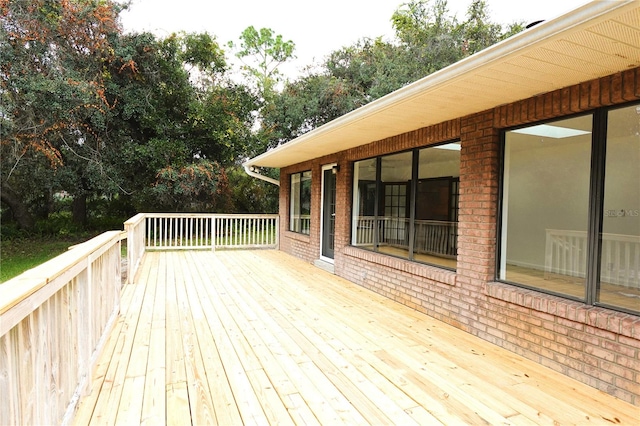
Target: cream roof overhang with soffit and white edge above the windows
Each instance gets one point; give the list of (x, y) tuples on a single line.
[(595, 40)]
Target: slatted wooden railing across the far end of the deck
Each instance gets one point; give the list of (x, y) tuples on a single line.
[(194, 231)]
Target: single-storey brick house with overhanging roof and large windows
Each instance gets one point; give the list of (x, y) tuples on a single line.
[(500, 195)]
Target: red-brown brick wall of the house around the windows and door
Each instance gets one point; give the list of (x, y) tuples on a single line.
[(596, 346)]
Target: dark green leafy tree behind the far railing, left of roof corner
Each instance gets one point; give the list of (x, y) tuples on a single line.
[(169, 130)]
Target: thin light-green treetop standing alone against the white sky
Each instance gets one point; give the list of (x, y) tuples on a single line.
[(262, 53)]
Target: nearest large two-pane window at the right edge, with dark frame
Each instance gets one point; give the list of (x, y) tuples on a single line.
[(570, 208)]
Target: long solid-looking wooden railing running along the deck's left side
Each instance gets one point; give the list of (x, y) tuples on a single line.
[(54, 320)]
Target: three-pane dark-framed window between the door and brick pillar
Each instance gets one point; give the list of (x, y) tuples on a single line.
[(406, 204)]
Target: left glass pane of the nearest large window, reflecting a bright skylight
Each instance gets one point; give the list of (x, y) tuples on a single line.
[(545, 205)]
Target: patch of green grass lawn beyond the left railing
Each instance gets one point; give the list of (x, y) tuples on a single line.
[(19, 255)]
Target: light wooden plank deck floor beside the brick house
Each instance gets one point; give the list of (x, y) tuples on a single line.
[(258, 337)]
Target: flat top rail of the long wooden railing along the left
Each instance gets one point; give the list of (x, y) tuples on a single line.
[(24, 285)]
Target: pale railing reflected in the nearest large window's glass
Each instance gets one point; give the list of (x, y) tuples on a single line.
[(566, 254)]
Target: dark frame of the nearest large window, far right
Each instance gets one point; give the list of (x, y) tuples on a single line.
[(595, 212)]
